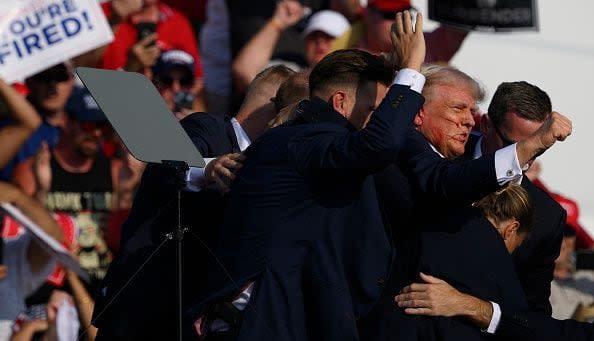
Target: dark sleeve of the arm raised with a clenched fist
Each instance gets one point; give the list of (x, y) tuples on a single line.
[(446, 179)]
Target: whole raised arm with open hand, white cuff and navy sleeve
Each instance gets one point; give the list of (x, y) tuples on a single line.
[(378, 143)]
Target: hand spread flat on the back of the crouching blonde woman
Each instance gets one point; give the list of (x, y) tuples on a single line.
[(435, 297)]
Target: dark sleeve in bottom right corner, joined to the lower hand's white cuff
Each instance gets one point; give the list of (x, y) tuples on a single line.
[(540, 327)]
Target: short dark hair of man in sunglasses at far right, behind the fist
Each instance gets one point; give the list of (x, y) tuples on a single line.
[(526, 100)]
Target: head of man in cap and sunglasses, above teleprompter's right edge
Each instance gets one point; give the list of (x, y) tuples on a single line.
[(173, 75)]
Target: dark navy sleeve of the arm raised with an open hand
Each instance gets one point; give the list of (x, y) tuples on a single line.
[(330, 147)]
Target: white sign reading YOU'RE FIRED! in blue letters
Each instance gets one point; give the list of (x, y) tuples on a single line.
[(37, 34)]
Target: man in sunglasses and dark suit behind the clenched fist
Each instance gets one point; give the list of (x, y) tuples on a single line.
[(517, 110)]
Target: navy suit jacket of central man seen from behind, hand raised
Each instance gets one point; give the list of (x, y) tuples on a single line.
[(303, 223)]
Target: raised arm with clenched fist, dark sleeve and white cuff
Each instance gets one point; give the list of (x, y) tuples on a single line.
[(469, 180)]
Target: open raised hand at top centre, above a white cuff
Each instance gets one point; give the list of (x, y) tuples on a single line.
[(409, 45)]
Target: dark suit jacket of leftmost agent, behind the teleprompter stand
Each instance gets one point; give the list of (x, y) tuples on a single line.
[(149, 299)]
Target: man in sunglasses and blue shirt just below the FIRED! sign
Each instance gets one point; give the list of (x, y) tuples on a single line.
[(48, 92)]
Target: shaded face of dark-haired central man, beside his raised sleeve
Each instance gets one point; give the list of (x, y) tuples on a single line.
[(367, 99)]
